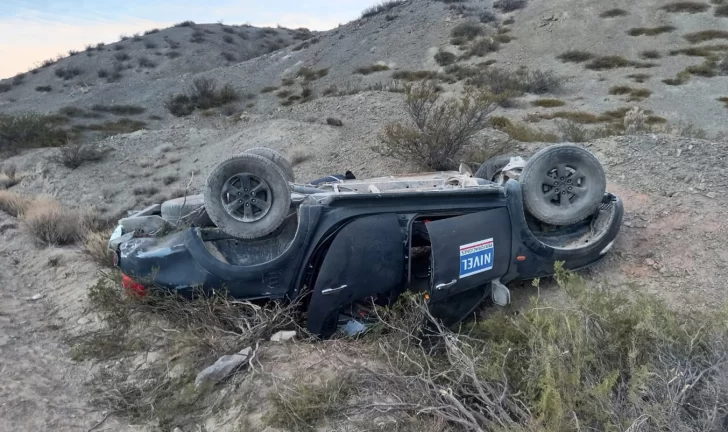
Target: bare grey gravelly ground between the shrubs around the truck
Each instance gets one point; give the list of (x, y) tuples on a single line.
[(674, 187)]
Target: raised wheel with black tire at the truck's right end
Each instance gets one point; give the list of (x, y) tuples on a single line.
[(551, 170)]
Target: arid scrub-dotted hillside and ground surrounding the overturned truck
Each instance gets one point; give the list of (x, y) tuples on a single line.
[(88, 137)]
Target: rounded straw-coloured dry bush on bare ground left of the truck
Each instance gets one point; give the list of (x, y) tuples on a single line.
[(50, 223)]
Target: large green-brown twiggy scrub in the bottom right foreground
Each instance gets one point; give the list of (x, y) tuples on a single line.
[(603, 362)]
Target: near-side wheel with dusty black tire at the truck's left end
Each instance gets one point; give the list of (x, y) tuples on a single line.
[(260, 193)]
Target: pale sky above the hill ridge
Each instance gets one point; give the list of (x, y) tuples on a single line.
[(34, 30)]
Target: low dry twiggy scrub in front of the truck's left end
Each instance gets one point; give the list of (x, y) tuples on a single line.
[(206, 326)]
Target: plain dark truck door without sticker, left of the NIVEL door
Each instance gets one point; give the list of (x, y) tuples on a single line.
[(365, 259)]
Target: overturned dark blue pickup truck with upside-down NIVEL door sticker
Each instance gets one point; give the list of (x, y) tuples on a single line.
[(457, 236)]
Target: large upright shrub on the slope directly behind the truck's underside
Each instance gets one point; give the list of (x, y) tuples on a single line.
[(438, 129)]
